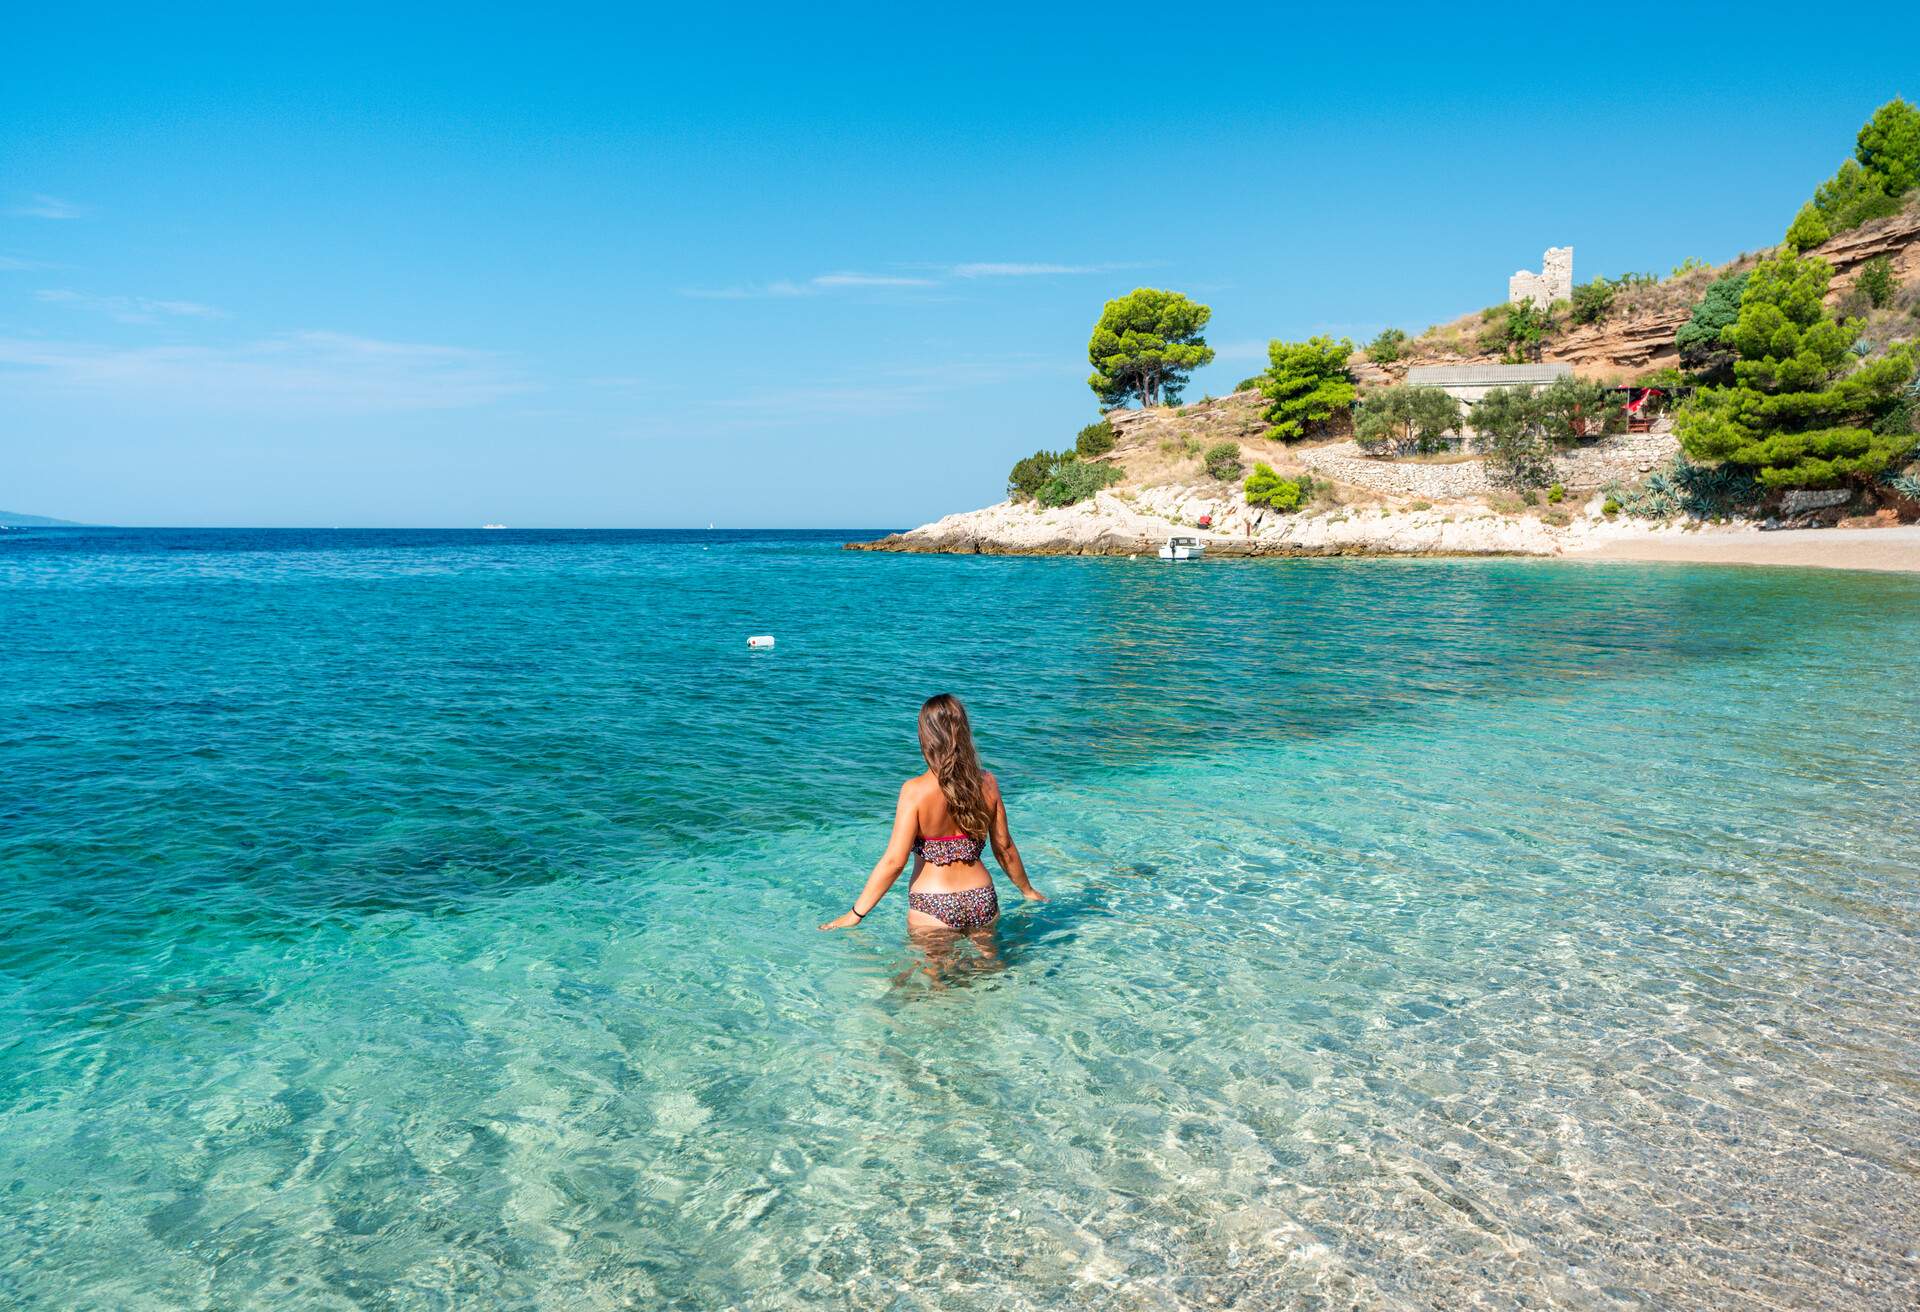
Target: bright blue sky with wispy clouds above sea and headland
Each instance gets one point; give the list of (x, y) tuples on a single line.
[(621, 268)]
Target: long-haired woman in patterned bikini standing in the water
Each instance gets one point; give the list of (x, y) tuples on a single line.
[(944, 819)]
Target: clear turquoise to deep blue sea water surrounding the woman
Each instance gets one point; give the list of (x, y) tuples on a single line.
[(423, 921)]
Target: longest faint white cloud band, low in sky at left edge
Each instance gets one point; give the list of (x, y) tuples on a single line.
[(316, 372)]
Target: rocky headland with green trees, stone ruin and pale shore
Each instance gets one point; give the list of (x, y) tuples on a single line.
[(1643, 416)]
